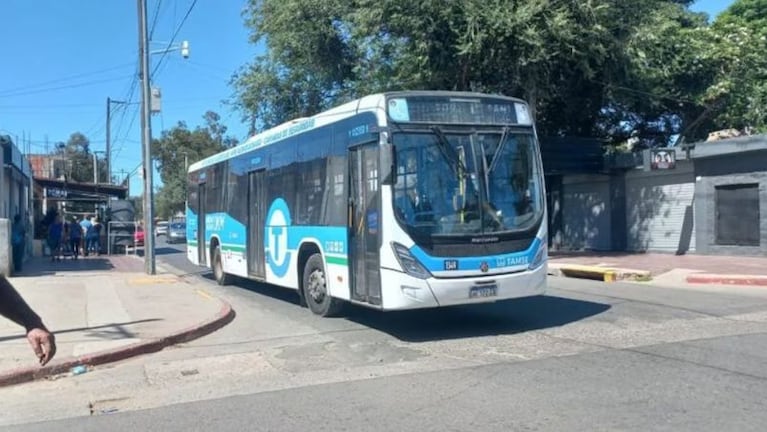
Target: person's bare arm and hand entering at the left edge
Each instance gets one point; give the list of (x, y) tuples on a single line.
[(13, 307)]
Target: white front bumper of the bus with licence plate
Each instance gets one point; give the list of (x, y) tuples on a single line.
[(402, 291)]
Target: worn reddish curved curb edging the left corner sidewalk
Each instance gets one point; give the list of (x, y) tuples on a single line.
[(17, 376)]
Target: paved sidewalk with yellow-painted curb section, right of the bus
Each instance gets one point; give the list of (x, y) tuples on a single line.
[(690, 269)]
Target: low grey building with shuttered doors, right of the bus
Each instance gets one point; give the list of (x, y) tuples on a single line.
[(711, 200)]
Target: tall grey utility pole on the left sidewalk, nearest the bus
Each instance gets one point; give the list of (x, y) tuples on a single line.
[(146, 138)]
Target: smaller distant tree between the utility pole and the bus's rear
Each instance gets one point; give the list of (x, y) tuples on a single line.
[(180, 145)]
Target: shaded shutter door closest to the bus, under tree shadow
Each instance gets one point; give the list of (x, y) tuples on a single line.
[(586, 215)]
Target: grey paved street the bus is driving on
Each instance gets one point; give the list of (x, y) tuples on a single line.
[(588, 356)]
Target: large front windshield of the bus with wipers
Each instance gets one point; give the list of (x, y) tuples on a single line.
[(467, 183)]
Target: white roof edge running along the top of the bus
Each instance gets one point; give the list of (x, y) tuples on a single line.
[(370, 103)]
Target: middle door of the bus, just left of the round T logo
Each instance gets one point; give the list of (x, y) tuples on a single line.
[(256, 222)]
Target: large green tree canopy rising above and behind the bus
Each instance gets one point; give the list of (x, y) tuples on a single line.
[(590, 68)]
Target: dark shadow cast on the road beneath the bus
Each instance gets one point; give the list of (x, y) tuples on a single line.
[(455, 322)]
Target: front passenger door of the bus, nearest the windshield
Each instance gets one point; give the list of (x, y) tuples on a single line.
[(364, 224)]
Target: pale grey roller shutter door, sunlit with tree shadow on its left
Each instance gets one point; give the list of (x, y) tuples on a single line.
[(659, 212)]
